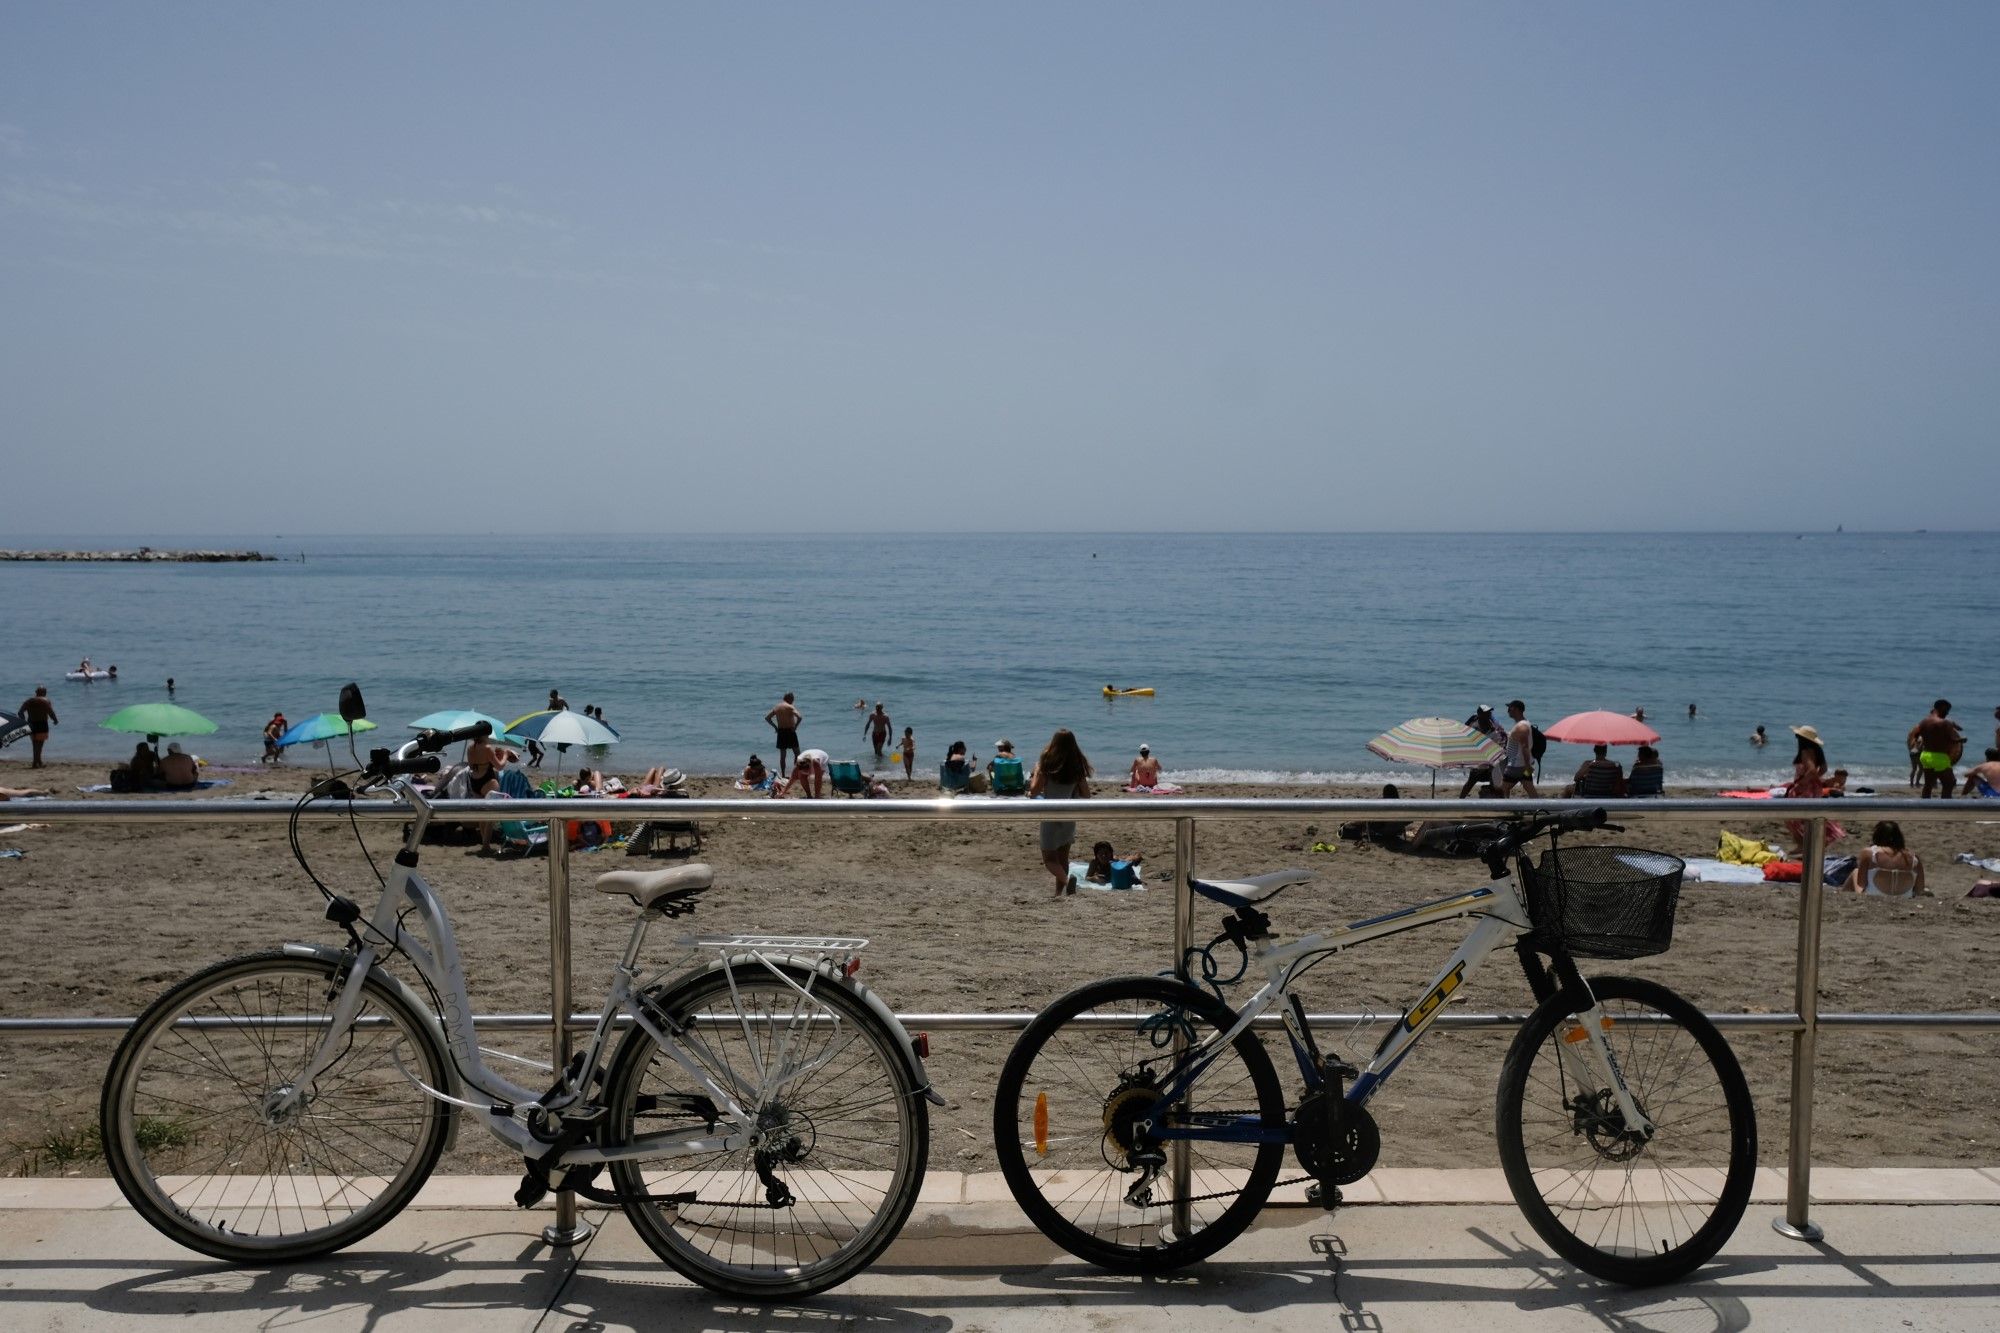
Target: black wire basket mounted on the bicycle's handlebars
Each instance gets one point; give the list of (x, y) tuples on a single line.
[(1605, 902)]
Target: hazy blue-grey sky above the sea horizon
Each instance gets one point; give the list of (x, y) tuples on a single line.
[(1031, 267)]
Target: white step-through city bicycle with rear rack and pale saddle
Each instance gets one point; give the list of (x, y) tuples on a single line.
[(763, 1118)]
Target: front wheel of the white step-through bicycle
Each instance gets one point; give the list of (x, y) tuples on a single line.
[(191, 1140)]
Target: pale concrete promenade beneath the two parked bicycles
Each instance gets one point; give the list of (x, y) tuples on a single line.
[(1905, 1250)]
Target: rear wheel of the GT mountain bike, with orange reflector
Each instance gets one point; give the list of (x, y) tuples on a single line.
[(1091, 1216)]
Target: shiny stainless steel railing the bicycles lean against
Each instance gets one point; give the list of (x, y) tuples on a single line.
[(1805, 1024)]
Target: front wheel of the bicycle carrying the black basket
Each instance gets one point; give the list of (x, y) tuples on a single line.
[(1635, 1214)]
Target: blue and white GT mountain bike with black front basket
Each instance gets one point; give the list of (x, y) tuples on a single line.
[(1141, 1122)]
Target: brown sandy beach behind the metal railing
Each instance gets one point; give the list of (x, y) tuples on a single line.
[(961, 920)]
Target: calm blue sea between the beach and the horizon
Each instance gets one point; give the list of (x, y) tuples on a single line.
[(1275, 657)]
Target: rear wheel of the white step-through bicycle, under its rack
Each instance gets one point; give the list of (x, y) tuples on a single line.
[(855, 1138)]
